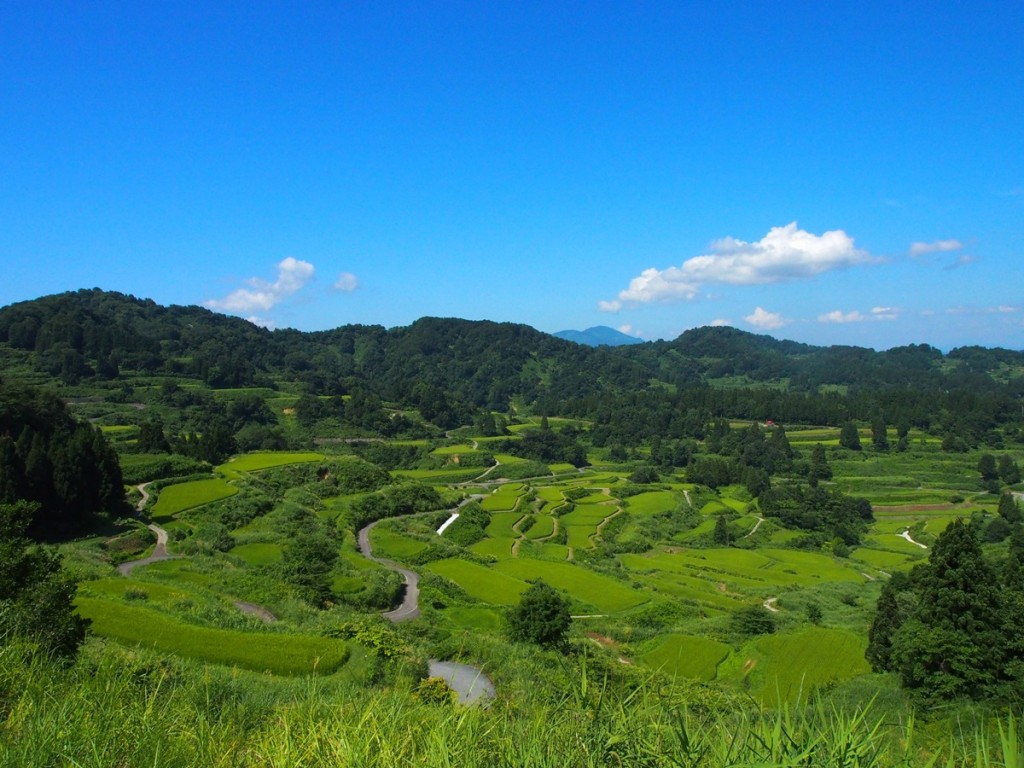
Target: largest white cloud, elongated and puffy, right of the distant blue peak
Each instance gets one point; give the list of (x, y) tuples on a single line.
[(785, 253)]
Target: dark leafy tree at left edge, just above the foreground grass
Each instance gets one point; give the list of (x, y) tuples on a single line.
[(35, 598)]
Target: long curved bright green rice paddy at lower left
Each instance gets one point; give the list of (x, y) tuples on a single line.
[(277, 654)]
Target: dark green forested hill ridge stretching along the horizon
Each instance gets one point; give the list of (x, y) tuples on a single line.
[(96, 334)]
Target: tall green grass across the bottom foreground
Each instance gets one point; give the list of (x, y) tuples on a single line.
[(116, 708)]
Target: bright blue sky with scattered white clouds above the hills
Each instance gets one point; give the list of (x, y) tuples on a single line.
[(836, 174)]
